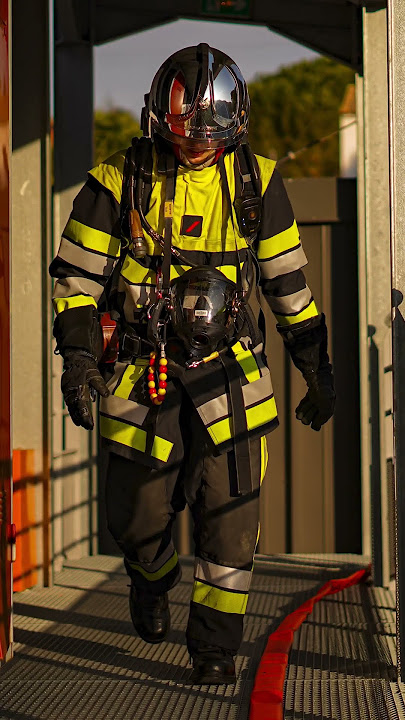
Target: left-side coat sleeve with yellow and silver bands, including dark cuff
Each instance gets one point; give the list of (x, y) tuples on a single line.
[(88, 252)]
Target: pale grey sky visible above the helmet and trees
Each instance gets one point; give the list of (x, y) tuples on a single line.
[(124, 69)]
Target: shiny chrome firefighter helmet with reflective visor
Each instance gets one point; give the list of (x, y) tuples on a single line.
[(198, 100)]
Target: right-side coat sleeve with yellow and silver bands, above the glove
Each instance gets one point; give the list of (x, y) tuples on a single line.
[(281, 259)]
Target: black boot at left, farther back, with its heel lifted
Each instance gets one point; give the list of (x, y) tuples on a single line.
[(150, 614)]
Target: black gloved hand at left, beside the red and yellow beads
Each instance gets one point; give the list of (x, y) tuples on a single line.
[(80, 374)]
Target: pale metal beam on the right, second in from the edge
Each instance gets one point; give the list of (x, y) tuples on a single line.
[(377, 264)]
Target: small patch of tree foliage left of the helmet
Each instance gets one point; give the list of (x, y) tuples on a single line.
[(113, 130)]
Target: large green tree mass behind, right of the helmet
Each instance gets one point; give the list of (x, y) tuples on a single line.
[(295, 106)]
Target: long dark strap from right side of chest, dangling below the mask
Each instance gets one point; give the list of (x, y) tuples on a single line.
[(241, 444)]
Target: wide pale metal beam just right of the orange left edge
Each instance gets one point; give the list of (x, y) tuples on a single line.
[(30, 225)]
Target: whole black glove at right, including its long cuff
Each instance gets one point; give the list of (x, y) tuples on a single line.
[(308, 349)]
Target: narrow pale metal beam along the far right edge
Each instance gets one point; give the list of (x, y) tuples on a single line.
[(396, 45)]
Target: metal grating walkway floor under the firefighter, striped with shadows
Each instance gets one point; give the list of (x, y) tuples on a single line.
[(77, 657)]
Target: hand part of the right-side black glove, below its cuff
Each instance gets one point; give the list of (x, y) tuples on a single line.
[(318, 405)]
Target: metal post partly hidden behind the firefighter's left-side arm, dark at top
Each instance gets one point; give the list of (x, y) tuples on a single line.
[(74, 449)]
